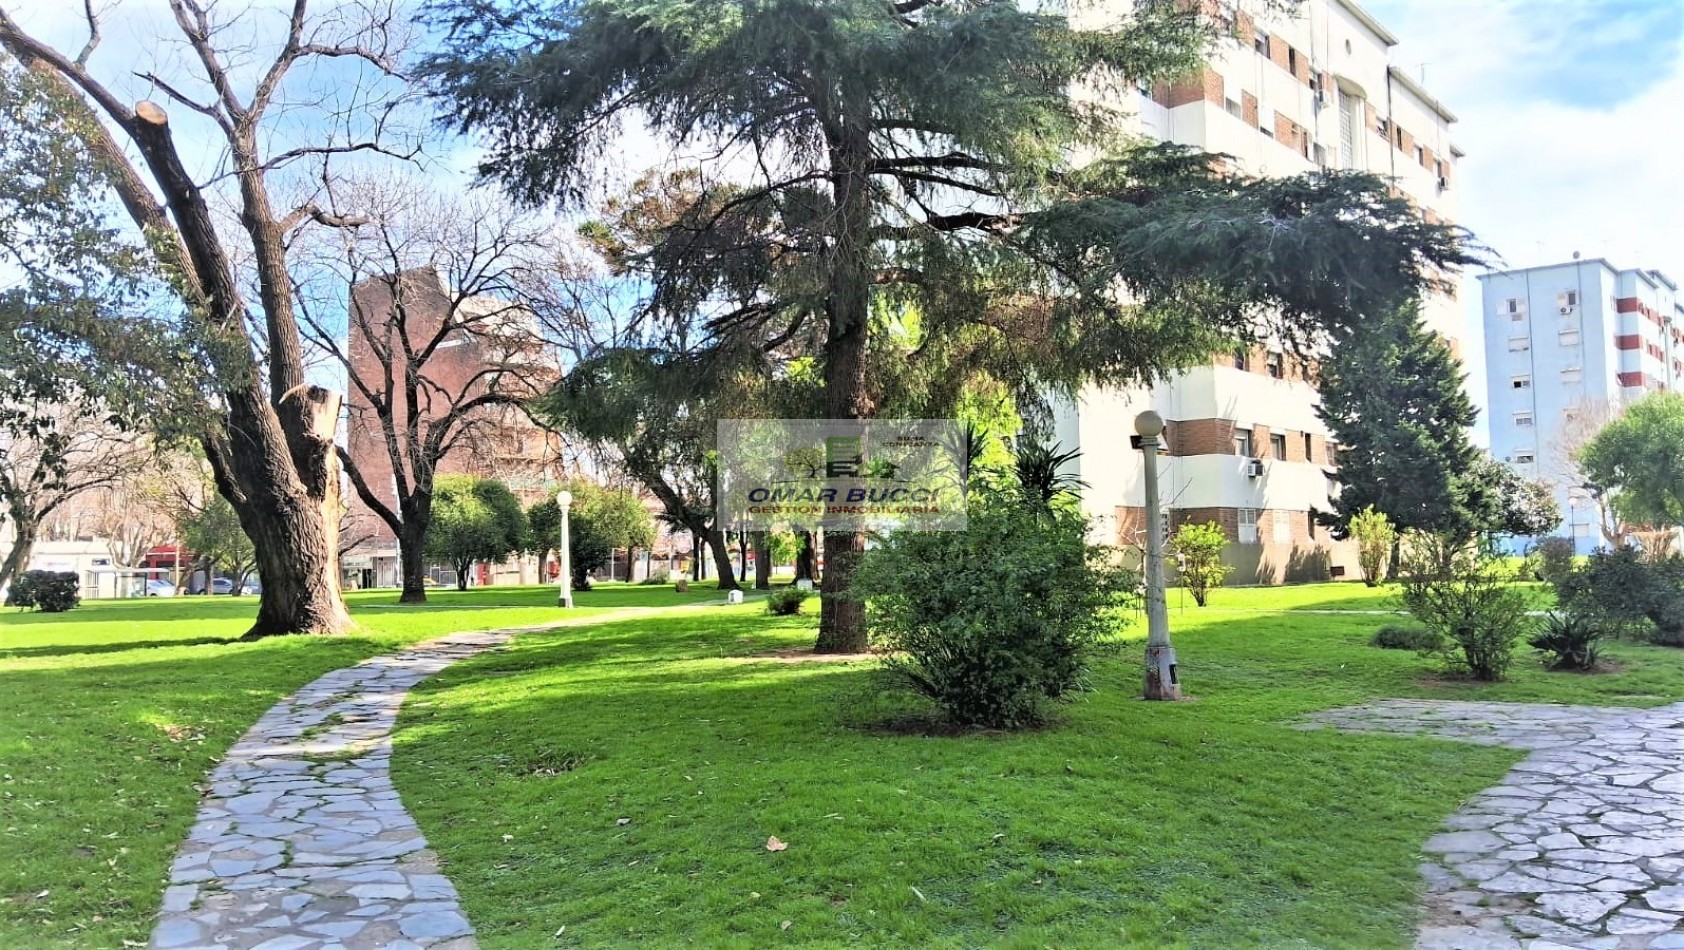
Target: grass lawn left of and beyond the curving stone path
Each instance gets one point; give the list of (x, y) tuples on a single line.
[(112, 713)]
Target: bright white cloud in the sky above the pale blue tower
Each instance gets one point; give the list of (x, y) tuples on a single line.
[(1547, 178)]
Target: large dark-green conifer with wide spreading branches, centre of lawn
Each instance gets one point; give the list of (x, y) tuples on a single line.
[(952, 159)]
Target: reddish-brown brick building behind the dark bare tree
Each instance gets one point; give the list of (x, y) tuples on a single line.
[(464, 348)]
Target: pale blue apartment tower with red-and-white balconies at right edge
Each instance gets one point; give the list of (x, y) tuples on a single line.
[(1567, 348)]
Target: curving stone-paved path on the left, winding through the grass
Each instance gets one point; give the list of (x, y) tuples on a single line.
[(302, 843)]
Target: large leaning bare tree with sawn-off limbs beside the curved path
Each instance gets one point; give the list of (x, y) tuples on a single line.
[(269, 434)]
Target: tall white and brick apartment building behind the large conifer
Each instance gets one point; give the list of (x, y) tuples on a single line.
[(1282, 95)]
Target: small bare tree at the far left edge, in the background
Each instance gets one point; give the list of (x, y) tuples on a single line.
[(43, 472)]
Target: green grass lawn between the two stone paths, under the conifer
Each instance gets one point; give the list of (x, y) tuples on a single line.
[(617, 786)]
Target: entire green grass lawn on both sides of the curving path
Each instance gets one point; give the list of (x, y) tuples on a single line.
[(1205, 821)]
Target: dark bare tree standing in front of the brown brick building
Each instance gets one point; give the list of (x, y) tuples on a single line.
[(440, 351)]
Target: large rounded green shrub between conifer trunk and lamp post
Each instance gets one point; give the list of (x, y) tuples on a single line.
[(993, 622)]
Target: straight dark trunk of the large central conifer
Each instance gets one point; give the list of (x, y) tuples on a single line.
[(843, 621)]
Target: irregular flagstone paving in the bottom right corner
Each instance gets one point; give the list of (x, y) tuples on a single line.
[(1580, 846)]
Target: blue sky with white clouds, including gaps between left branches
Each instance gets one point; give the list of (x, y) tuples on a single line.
[(1572, 115)]
